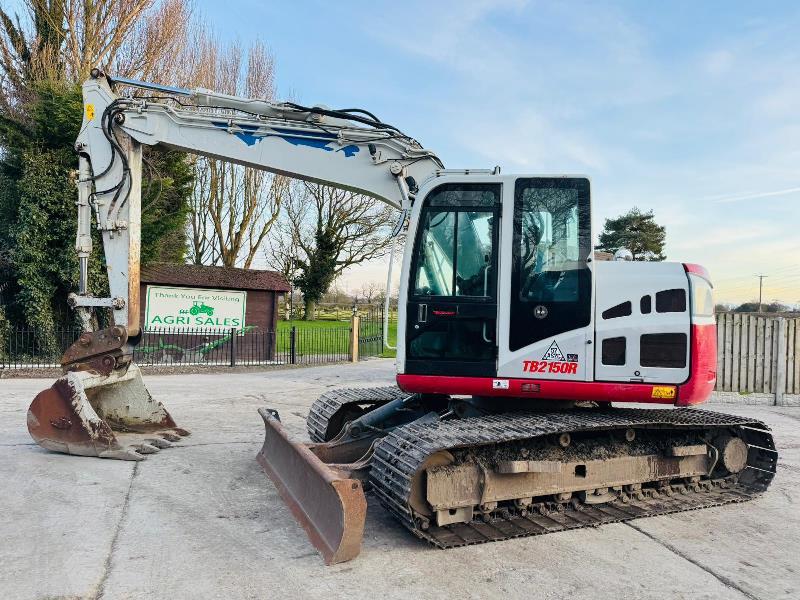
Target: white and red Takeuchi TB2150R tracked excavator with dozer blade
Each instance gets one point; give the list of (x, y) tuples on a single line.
[(518, 352)]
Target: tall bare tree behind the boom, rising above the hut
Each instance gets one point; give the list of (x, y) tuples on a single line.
[(233, 207)]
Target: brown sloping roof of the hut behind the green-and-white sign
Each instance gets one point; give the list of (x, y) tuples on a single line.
[(214, 277)]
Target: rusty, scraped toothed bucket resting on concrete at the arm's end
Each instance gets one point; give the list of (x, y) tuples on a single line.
[(111, 416)]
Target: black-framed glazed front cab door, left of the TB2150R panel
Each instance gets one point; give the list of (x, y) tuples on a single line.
[(452, 300)]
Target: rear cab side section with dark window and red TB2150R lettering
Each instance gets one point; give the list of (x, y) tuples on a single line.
[(546, 315)]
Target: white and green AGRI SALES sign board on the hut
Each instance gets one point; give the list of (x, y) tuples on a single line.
[(194, 308)]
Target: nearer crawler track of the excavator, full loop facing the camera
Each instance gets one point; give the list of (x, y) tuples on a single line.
[(402, 453)]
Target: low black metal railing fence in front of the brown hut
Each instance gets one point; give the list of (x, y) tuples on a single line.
[(293, 343)]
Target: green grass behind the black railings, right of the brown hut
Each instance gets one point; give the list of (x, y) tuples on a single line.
[(324, 337)]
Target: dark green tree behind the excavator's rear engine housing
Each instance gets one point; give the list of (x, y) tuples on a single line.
[(638, 232)]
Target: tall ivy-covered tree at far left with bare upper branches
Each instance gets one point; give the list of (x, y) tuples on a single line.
[(44, 55)]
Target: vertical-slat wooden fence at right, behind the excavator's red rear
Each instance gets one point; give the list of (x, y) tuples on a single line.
[(758, 353)]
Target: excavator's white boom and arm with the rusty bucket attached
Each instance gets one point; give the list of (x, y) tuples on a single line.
[(100, 407)]
